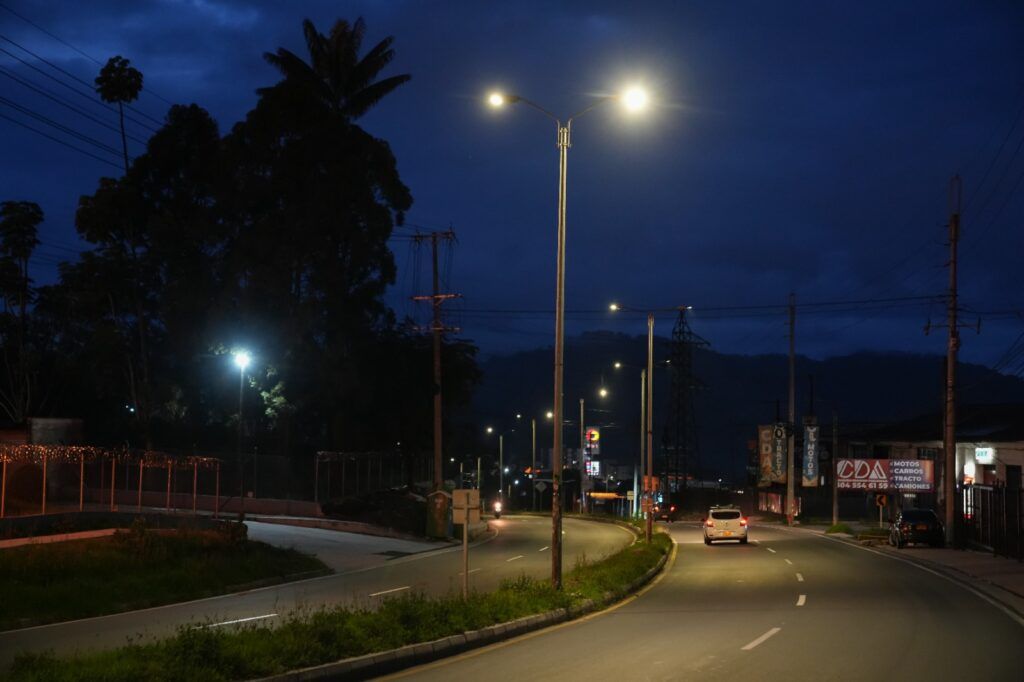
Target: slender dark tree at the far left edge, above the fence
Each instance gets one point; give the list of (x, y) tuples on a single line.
[(19, 228)]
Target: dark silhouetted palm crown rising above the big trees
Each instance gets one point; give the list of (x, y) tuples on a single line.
[(336, 76)]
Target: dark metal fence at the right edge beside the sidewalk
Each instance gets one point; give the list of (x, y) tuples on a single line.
[(994, 519)]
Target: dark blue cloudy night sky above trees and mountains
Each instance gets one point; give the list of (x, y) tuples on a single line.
[(801, 147)]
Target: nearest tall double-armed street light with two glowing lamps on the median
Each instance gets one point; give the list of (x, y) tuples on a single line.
[(634, 100)]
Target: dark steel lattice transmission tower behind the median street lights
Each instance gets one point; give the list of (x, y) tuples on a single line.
[(682, 454)]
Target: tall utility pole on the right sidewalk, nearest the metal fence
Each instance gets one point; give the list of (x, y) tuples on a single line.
[(950, 436)]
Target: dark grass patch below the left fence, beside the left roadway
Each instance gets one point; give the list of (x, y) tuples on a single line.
[(134, 570)]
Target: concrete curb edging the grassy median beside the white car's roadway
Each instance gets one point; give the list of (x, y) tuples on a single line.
[(383, 663)]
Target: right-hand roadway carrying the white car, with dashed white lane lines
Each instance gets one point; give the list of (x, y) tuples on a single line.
[(791, 606)]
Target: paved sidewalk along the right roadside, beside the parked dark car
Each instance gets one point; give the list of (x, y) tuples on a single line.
[(999, 578)]
